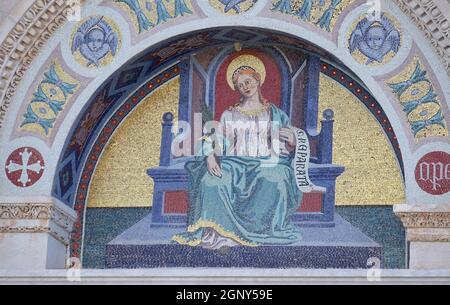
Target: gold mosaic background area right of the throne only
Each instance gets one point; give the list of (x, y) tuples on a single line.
[(372, 175)]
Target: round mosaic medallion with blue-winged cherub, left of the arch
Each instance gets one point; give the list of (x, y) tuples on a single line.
[(95, 42)]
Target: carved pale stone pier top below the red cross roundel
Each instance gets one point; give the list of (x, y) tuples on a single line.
[(34, 233)]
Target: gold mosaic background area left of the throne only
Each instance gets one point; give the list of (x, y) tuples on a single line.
[(120, 179)]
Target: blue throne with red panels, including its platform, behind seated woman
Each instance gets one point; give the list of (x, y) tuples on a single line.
[(328, 240)]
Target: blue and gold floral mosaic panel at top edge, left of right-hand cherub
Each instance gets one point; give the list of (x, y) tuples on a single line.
[(322, 13)]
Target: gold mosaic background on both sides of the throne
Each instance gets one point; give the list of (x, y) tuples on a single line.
[(372, 175)]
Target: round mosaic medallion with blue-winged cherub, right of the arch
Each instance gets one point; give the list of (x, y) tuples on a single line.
[(374, 40)]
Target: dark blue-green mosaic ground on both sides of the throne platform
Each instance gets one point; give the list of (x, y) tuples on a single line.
[(378, 222)]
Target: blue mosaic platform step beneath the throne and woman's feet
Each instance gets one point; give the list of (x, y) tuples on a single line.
[(343, 246)]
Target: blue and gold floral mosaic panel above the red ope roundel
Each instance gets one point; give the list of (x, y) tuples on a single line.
[(420, 102)]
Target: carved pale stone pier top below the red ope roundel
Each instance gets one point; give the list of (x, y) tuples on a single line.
[(427, 235)]
